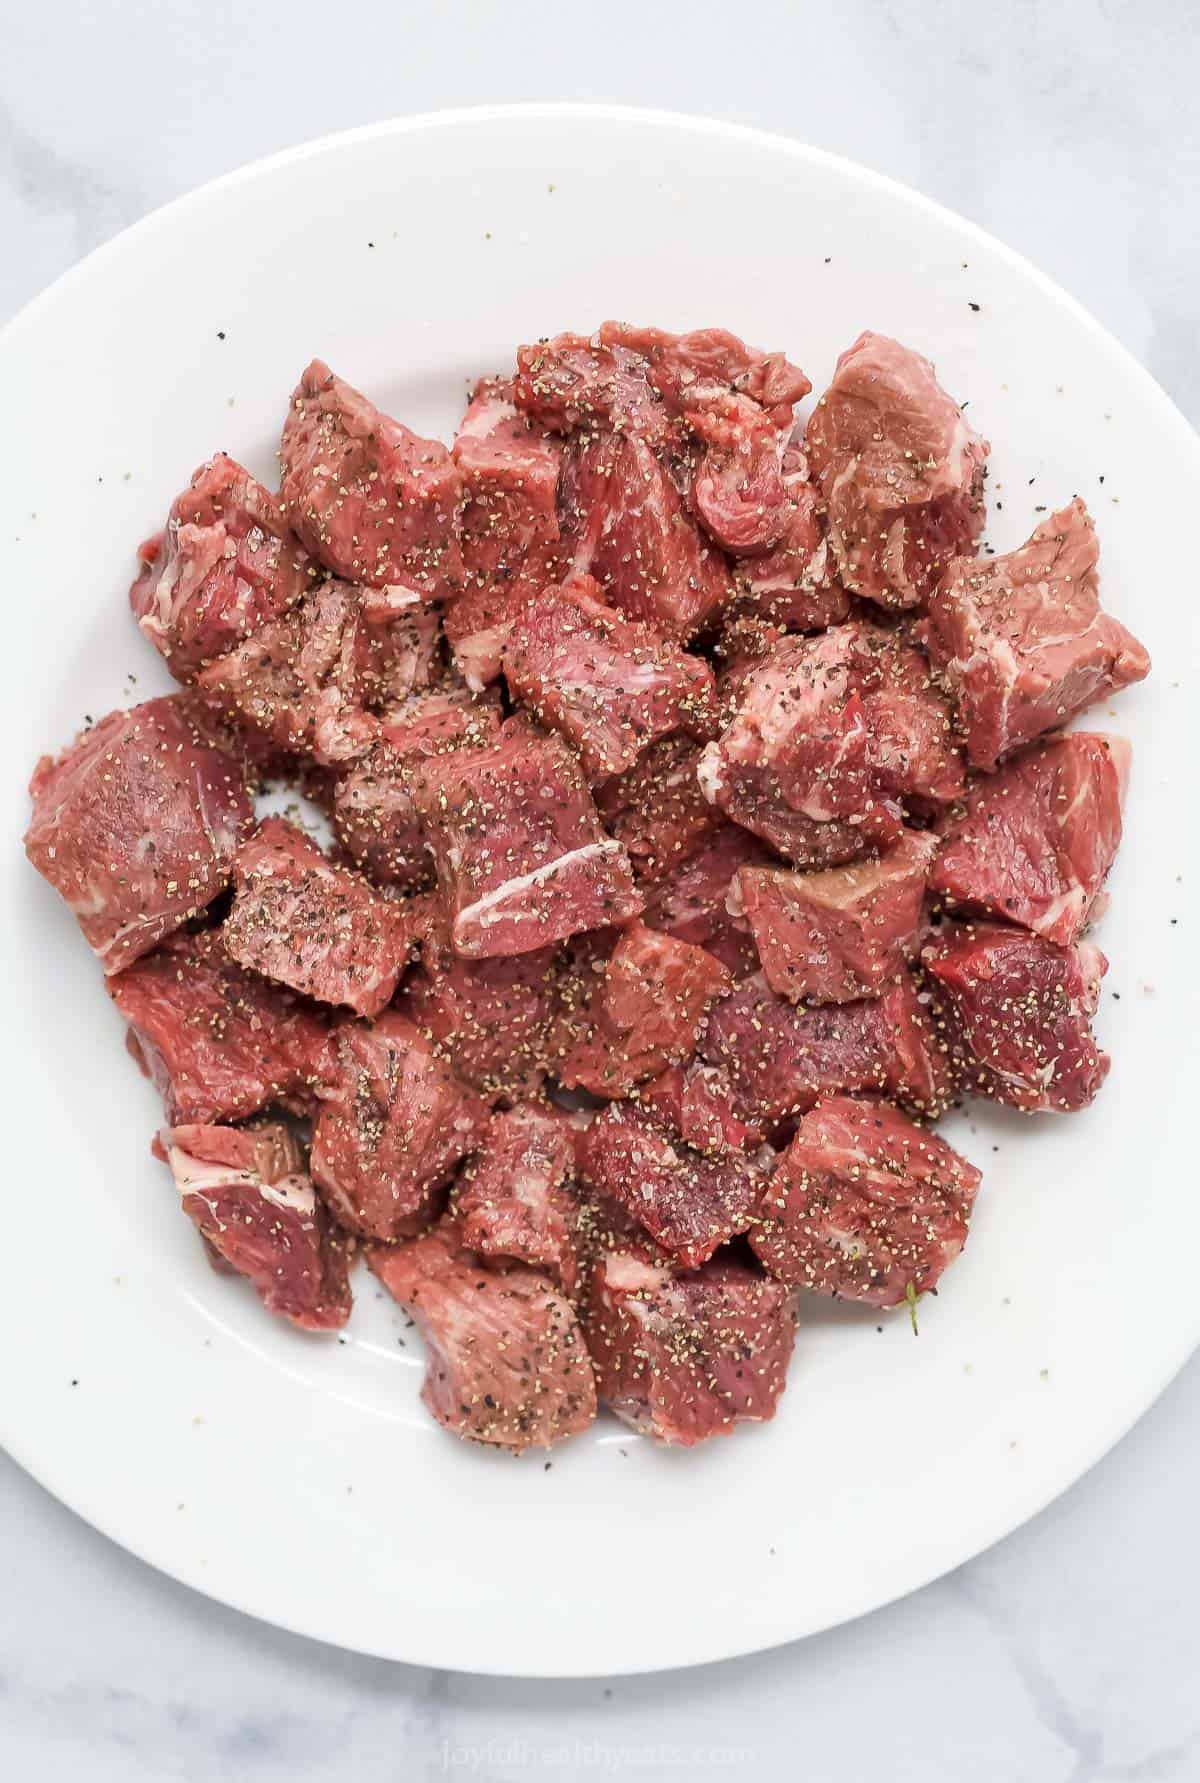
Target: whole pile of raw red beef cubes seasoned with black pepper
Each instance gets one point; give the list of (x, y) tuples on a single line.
[(703, 828)]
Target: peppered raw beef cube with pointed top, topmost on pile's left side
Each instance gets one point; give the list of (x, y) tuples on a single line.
[(374, 502)]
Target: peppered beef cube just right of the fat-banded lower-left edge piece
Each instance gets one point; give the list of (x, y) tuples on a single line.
[(395, 1122)]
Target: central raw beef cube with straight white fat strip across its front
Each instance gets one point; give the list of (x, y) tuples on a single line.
[(520, 851)]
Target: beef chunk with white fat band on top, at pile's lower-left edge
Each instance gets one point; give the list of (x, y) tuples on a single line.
[(251, 1197)]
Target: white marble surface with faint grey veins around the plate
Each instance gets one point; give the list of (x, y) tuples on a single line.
[(1065, 1656)]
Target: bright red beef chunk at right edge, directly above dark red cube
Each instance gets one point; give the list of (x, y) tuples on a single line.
[(1037, 841)]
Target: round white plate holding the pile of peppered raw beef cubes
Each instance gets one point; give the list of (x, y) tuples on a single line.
[(295, 1477)]
